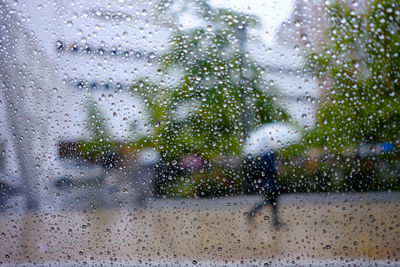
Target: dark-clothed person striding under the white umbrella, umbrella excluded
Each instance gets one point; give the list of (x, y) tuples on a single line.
[(262, 172)]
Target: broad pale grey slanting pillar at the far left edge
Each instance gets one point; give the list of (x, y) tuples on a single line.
[(28, 90)]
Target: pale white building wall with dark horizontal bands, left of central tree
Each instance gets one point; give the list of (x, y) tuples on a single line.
[(98, 49)]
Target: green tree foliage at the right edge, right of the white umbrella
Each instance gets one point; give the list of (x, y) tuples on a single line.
[(359, 65)]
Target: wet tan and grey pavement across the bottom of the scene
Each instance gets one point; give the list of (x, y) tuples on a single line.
[(319, 228)]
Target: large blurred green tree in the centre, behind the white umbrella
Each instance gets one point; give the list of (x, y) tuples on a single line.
[(220, 95)]
